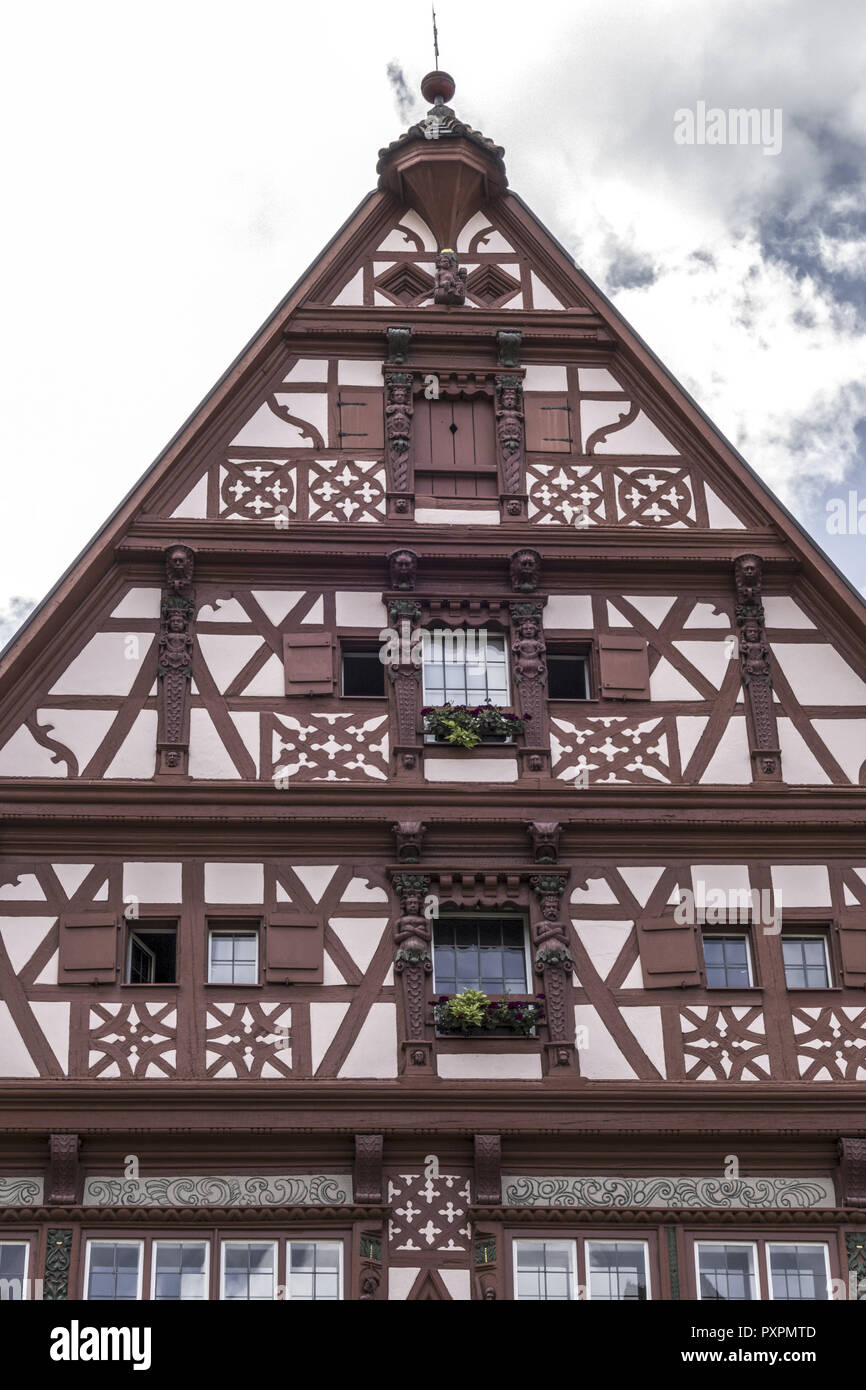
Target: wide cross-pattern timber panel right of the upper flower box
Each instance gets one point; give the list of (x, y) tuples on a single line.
[(615, 750)]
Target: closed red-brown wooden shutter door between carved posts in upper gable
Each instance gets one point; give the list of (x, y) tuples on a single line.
[(455, 448)]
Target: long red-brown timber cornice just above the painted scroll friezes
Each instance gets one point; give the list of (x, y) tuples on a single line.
[(676, 1110)]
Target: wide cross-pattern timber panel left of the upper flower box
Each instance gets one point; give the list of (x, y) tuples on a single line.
[(320, 747)]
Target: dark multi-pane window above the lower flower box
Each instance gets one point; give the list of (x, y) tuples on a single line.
[(480, 954)]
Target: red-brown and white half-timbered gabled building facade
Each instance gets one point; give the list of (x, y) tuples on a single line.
[(244, 881)]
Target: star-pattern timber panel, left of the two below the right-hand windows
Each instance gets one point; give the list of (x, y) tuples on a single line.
[(725, 1043)]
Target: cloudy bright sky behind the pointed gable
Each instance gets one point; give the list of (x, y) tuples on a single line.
[(172, 170)]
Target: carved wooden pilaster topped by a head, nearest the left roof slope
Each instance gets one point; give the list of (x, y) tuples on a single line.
[(174, 661)]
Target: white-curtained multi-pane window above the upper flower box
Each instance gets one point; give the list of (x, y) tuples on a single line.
[(465, 667)]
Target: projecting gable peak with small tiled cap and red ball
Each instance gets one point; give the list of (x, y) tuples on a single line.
[(441, 167)]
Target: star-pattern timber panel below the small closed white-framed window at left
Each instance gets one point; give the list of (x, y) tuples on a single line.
[(248, 1040)]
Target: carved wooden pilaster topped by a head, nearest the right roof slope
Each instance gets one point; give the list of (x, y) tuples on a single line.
[(755, 669)]
